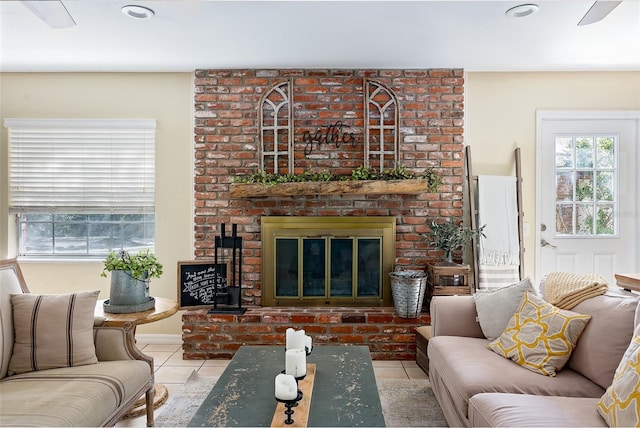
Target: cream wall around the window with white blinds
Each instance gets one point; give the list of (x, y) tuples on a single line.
[(166, 97)]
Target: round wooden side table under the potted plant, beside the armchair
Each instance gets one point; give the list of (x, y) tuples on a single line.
[(164, 308)]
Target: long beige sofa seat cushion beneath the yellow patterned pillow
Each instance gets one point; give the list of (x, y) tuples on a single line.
[(461, 367)]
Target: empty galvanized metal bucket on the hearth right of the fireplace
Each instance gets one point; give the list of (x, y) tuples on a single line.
[(408, 288)]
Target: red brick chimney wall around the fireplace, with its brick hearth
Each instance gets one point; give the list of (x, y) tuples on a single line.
[(430, 107)]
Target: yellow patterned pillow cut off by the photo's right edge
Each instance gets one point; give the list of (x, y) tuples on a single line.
[(620, 404)]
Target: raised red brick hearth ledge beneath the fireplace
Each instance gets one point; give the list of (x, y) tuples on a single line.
[(389, 337)]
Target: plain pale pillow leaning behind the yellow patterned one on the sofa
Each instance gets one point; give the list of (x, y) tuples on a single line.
[(496, 307)]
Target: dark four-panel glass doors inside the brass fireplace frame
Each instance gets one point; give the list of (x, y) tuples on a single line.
[(328, 267)]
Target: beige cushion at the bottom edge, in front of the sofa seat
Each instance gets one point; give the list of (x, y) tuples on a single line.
[(521, 410)]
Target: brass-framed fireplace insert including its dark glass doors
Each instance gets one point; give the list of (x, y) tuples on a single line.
[(327, 261)]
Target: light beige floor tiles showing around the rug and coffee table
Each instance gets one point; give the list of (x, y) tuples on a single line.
[(173, 371)]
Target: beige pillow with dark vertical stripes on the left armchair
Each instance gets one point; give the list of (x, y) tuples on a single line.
[(52, 330)]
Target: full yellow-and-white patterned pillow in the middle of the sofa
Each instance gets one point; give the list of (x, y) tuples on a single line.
[(539, 336)]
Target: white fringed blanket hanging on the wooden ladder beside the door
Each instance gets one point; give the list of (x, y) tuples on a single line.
[(499, 252)]
